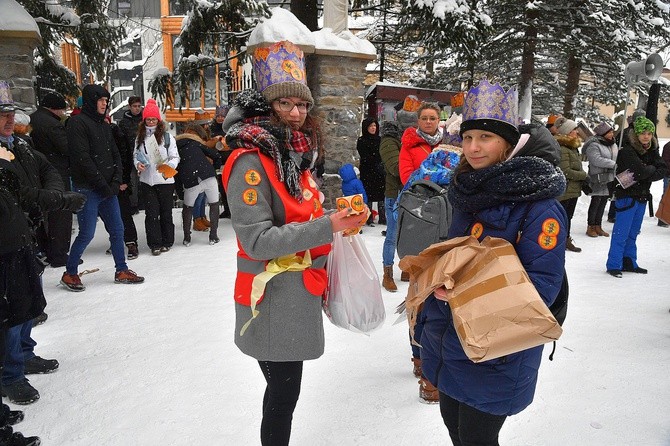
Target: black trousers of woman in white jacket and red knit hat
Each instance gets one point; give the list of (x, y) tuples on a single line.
[(158, 223)]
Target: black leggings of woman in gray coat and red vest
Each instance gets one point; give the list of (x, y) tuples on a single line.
[(281, 396)]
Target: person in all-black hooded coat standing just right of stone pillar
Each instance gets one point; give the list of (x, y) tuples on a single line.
[(372, 171)]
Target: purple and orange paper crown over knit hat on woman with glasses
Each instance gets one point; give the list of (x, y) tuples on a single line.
[(280, 72)]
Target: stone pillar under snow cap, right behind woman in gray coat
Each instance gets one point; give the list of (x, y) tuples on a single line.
[(336, 83)]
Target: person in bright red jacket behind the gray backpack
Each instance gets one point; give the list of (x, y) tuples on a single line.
[(417, 143)]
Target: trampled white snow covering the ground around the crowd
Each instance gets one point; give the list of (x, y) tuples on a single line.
[(155, 364)]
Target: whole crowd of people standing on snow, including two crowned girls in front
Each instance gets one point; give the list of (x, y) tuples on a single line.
[(255, 163)]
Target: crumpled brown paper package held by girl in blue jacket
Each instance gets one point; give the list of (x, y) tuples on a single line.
[(496, 308)]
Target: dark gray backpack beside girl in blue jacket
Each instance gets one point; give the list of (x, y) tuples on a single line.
[(424, 217)]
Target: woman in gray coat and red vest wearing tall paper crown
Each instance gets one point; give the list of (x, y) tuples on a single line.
[(282, 233)]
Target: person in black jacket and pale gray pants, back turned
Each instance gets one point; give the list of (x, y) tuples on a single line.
[(197, 174)]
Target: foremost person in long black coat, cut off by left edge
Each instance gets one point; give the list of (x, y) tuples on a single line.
[(20, 280)]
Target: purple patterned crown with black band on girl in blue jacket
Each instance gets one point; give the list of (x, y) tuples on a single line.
[(488, 107)]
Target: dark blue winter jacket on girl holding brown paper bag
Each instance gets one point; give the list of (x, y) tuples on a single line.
[(503, 386)]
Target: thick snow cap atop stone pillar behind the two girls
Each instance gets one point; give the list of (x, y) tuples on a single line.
[(283, 25)]
